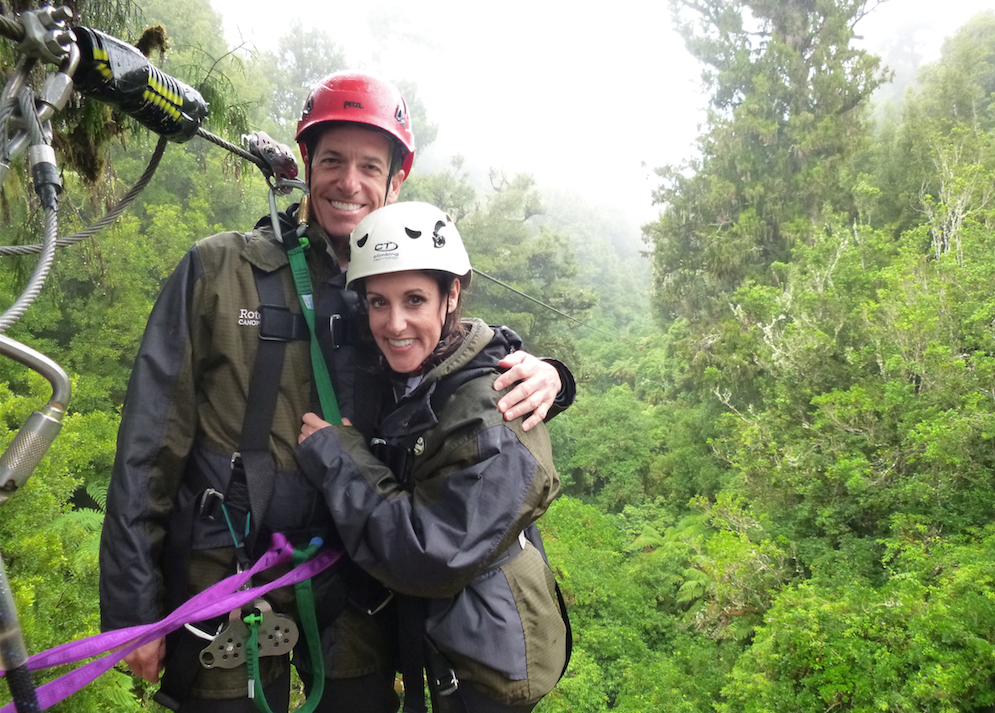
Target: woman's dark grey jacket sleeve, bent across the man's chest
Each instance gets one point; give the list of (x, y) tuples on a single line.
[(485, 484)]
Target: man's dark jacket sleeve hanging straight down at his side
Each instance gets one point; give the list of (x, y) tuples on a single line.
[(155, 437)]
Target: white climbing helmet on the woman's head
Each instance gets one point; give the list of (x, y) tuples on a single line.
[(407, 236)]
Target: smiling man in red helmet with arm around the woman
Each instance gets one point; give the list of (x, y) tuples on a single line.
[(192, 399)]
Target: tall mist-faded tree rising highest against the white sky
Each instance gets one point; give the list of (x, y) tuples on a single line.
[(788, 96)]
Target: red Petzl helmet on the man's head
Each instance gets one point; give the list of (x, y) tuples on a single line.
[(359, 98)]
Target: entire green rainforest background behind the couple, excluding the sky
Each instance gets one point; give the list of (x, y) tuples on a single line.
[(779, 474)]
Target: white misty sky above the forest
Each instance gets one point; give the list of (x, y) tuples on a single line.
[(589, 101)]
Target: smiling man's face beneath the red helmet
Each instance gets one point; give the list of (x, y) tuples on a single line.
[(349, 178)]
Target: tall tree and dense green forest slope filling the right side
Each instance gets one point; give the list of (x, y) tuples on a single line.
[(834, 349)]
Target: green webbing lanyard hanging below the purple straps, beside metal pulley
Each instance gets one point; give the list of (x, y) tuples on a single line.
[(305, 611)]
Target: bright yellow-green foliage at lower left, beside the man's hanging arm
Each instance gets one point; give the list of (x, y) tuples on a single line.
[(50, 551)]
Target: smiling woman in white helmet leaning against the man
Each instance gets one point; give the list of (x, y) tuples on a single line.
[(445, 516)]
